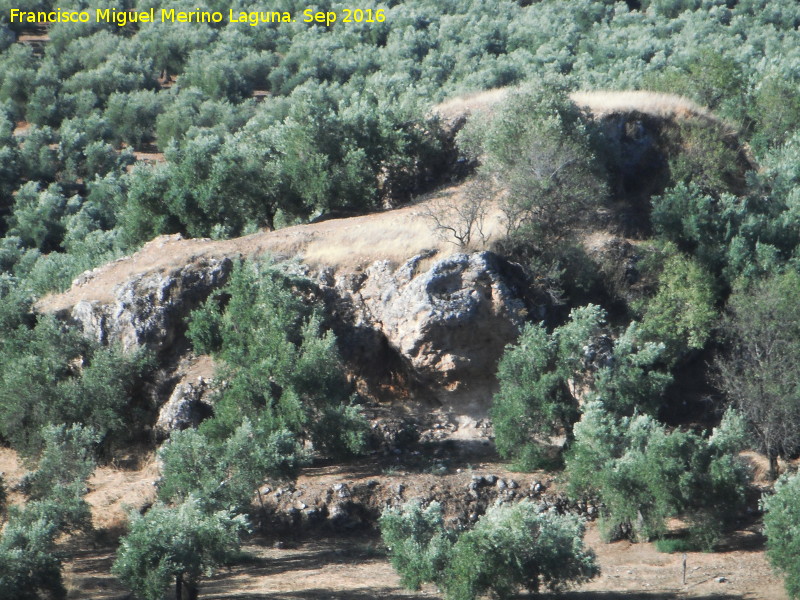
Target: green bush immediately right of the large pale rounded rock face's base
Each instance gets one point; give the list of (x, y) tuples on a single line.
[(540, 377)]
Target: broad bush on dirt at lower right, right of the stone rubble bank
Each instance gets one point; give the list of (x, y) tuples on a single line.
[(645, 474)]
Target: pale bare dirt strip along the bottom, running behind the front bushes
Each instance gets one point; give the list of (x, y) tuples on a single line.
[(357, 569)]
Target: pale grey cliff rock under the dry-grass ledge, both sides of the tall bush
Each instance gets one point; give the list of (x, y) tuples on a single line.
[(442, 324)]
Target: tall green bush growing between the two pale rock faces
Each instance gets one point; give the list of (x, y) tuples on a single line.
[(283, 371)]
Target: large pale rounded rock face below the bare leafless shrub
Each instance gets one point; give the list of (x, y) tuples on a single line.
[(447, 326)]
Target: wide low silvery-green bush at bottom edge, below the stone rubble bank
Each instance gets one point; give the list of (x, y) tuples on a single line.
[(511, 546)]
